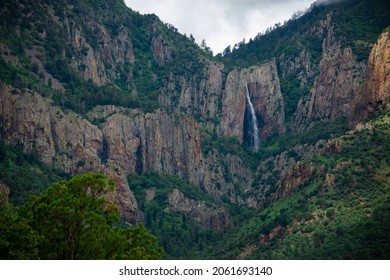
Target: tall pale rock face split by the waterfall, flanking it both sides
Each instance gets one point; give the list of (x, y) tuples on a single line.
[(264, 89)]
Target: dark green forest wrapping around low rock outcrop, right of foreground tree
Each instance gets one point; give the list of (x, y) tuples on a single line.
[(178, 234)]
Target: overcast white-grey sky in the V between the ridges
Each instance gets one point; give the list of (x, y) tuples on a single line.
[(221, 22)]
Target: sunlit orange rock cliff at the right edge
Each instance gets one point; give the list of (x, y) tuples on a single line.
[(375, 94)]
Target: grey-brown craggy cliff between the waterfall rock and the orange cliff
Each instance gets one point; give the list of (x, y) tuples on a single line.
[(338, 82)]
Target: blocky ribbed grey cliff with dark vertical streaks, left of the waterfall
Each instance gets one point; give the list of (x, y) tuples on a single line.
[(156, 141)]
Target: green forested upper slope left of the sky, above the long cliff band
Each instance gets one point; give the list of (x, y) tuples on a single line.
[(132, 85)]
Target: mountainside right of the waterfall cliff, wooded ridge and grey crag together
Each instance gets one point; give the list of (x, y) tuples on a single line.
[(321, 58)]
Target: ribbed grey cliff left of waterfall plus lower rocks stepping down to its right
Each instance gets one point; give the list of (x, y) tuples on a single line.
[(171, 145)]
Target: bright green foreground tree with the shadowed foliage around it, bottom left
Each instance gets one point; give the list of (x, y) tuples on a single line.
[(72, 220)]
